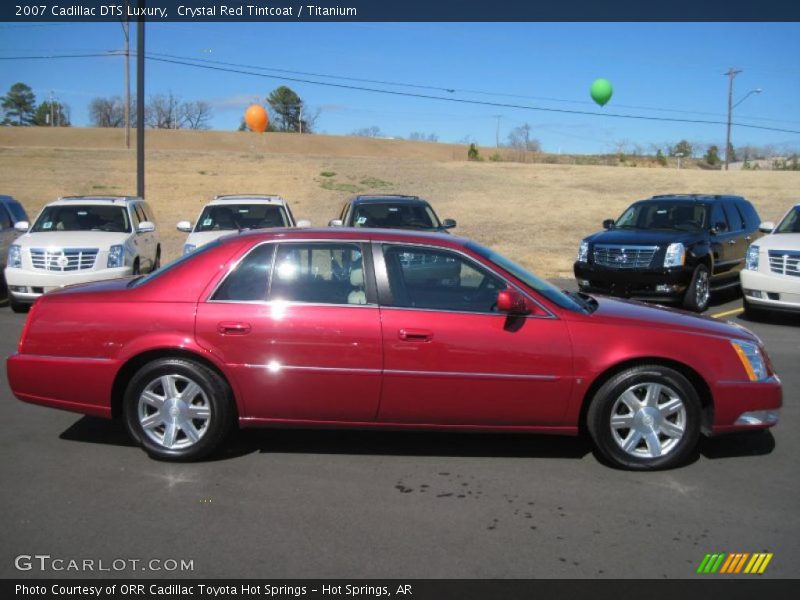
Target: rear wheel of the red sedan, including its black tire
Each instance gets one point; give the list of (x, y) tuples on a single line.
[(206, 415)]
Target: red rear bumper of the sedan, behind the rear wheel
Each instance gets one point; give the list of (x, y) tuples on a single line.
[(80, 385)]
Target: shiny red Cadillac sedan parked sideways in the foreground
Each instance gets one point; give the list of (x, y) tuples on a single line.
[(329, 327)]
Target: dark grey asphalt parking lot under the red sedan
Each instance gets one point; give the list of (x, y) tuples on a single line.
[(349, 504)]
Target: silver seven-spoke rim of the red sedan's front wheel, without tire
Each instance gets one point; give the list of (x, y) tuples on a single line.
[(648, 420)]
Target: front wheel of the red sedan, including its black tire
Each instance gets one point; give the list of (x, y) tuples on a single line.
[(654, 424)]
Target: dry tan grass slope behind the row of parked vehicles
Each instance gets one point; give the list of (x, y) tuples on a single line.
[(534, 213)]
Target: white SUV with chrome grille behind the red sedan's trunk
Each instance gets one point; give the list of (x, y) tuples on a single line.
[(78, 239)]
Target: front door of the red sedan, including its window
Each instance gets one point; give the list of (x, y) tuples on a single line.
[(451, 359)]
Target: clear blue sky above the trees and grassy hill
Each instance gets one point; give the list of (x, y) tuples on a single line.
[(657, 70)]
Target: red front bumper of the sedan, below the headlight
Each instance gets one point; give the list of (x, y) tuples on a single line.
[(735, 402)]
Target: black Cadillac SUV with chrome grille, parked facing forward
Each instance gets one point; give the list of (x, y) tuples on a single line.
[(675, 247)]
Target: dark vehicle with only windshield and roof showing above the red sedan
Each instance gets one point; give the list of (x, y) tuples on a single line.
[(391, 212)]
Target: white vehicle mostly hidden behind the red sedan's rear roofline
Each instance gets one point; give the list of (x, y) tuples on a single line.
[(225, 214)]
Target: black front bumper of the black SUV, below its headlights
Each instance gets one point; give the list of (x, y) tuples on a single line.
[(652, 284)]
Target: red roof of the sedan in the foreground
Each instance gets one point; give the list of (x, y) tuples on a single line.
[(350, 234)]
